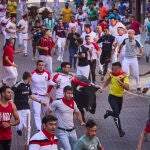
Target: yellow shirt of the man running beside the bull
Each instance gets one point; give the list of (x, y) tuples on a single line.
[(115, 88)]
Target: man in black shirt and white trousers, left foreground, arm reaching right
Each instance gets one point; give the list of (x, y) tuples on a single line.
[(22, 93)]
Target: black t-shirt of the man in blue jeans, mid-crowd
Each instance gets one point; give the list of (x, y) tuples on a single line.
[(73, 40)]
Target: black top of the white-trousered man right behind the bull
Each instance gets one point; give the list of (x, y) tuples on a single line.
[(83, 61)]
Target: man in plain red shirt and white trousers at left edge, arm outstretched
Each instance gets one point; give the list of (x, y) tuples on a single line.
[(8, 62)]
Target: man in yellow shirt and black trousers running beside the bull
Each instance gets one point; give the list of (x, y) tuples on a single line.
[(118, 81)]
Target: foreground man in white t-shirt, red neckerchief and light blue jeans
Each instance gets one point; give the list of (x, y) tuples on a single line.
[(64, 110)]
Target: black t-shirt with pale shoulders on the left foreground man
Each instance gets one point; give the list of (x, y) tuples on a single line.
[(22, 92)]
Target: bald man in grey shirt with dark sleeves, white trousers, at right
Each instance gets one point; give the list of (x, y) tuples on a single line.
[(130, 59)]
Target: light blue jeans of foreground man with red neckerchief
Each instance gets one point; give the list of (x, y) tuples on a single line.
[(67, 139)]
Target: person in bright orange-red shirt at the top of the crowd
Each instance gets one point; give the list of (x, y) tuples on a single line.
[(102, 11)]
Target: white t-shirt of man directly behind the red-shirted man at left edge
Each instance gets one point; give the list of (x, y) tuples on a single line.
[(12, 28)]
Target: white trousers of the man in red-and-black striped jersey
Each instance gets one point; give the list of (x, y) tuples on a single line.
[(48, 62)]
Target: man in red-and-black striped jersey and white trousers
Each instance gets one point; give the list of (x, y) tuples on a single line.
[(45, 46)]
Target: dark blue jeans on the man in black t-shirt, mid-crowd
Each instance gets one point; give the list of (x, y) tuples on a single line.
[(72, 52)]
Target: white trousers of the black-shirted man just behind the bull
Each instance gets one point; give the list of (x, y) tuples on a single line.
[(85, 70)]
